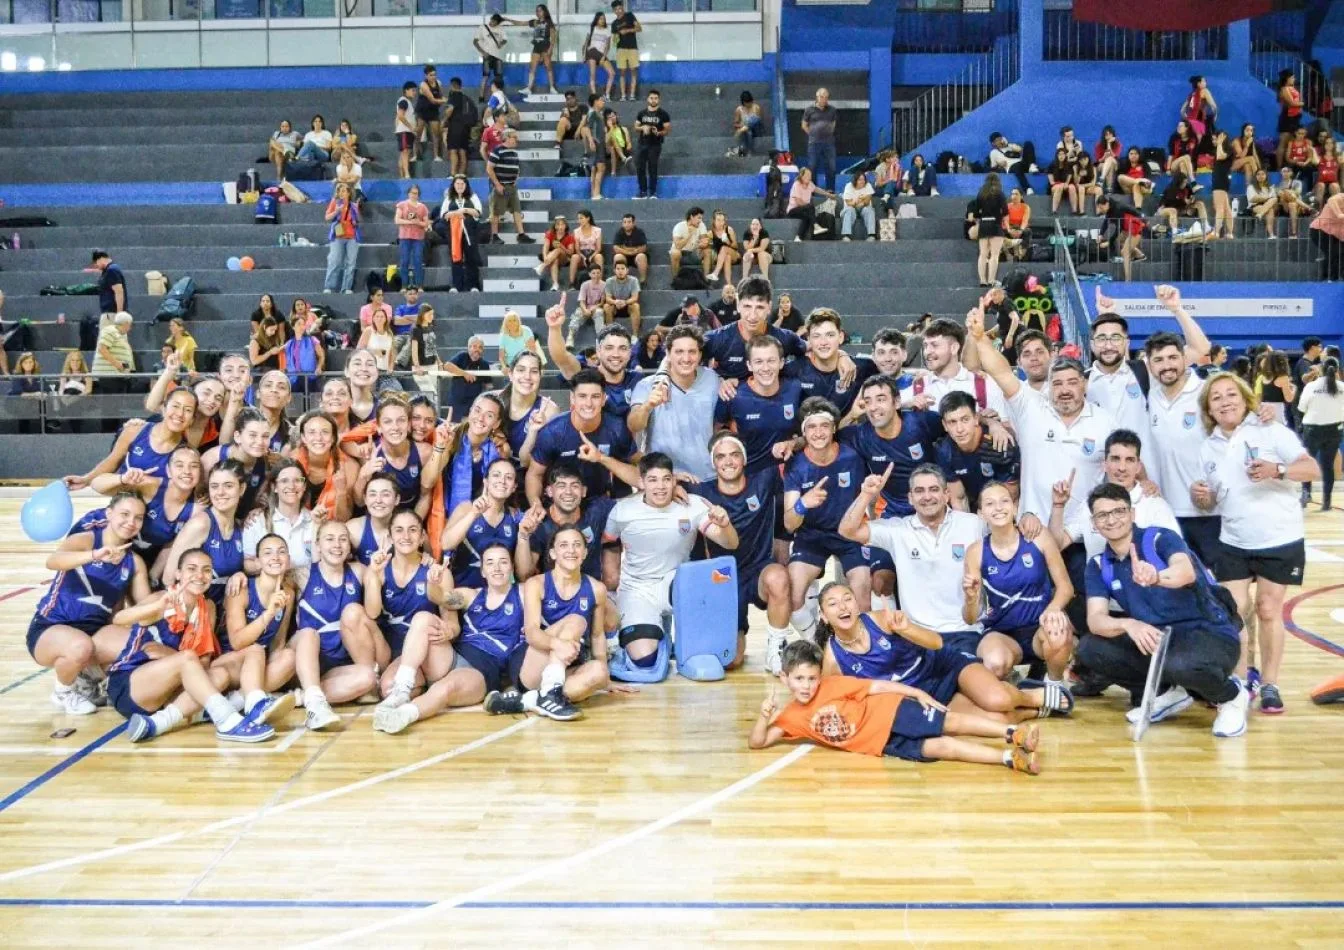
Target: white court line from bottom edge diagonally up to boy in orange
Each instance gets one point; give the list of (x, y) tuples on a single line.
[(553, 870)]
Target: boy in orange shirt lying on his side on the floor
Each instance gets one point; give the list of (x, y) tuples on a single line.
[(882, 718)]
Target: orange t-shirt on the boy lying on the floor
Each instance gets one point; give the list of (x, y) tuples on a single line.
[(843, 716)]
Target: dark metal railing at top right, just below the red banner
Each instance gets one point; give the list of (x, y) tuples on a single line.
[(1064, 38)]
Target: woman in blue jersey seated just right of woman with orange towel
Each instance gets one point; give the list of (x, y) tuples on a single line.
[(261, 611)]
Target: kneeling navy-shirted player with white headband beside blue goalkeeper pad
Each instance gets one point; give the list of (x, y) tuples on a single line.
[(751, 503)]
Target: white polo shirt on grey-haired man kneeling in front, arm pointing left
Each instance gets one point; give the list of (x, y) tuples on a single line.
[(931, 565)]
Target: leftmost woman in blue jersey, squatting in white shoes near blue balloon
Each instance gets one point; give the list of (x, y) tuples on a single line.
[(73, 631)]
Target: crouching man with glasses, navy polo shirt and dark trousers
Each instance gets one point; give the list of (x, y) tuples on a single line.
[(1143, 582)]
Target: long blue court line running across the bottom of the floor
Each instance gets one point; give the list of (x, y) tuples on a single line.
[(1103, 906)]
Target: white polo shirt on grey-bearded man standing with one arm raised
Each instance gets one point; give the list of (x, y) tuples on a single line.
[(1052, 449)]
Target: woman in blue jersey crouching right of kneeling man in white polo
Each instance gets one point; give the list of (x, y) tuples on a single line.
[(1025, 587)]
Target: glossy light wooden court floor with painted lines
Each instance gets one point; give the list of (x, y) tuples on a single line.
[(651, 824)]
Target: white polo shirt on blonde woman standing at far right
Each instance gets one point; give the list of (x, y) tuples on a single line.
[(1257, 515)]
